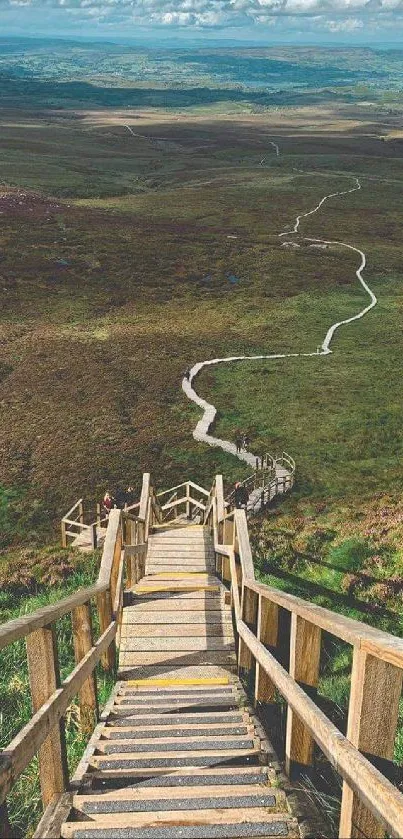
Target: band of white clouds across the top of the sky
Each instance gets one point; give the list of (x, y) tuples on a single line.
[(334, 16)]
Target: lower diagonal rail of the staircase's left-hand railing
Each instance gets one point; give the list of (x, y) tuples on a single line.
[(30, 739)]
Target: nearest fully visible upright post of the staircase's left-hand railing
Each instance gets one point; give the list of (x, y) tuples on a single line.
[(44, 678)]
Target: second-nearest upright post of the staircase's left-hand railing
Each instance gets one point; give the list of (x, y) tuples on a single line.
[(83, 641)]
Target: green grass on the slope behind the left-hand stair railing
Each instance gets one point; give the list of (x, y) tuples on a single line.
[(24, 801)]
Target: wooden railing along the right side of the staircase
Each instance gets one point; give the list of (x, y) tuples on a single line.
[(370, 803)]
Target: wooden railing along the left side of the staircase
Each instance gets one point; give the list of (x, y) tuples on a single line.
[(124, 553)]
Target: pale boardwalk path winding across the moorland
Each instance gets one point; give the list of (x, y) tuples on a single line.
[(201, 432)]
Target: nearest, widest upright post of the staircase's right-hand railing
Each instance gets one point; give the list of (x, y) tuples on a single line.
[(376, 688)]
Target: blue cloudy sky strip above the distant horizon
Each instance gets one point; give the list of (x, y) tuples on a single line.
[(262, 21)]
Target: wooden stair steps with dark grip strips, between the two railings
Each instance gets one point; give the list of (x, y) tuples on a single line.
[(177, 753)]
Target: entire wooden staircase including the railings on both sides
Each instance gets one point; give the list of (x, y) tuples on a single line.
[(179, 750)]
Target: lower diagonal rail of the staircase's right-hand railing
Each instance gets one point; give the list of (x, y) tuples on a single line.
[(377, 793)]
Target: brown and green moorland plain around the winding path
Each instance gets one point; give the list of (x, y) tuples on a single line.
[(116, 271)]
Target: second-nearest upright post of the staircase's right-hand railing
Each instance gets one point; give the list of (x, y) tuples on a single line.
[(304, 668)]
